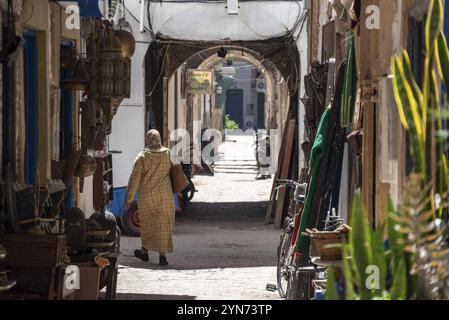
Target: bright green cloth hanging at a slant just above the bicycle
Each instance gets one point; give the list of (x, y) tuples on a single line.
[(315, 160)]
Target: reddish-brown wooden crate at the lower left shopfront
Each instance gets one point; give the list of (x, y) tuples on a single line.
[(35, 251)]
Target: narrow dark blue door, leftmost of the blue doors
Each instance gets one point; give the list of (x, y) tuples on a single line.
[(30, 59)]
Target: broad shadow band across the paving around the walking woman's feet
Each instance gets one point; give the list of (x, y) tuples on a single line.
[(215, 236)]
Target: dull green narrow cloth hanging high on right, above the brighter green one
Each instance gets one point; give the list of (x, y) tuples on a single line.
[(349, 86)]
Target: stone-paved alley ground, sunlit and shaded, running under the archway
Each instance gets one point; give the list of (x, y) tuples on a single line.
[(223, 250)]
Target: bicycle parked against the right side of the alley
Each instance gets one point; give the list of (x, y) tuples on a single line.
[(286, 249)]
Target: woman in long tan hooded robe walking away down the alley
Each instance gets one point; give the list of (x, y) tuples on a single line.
[(150, 178)]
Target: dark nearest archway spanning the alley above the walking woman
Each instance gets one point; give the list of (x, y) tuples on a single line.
[(164, 56)]
